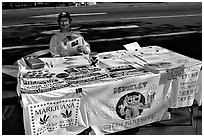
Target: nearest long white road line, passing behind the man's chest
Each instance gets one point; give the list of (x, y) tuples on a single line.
[(113, 39)]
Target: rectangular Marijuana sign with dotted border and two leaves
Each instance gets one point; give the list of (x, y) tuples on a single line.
[(49, 116)]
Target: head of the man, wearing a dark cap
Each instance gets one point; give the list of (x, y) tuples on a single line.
[(64, 20)]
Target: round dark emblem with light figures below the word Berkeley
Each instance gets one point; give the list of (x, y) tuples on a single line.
[(130, 105)]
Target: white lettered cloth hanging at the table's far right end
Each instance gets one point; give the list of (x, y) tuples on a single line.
[(184, 87)]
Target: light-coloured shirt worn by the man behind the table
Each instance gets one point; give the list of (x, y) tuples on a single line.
[(65, 44)]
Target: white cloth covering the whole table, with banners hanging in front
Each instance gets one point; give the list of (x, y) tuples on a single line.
[(116, 95)]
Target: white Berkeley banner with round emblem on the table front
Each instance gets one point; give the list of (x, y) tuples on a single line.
[(129, 103)]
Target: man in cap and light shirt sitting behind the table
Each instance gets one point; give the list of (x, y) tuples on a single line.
[(65, 42)]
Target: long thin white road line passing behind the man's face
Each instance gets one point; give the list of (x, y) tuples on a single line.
[(153, 17)]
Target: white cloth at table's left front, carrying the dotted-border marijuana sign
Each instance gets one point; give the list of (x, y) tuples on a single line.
[(57, 112)]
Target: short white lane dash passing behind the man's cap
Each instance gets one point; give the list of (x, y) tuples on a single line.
[(72, 15)]
